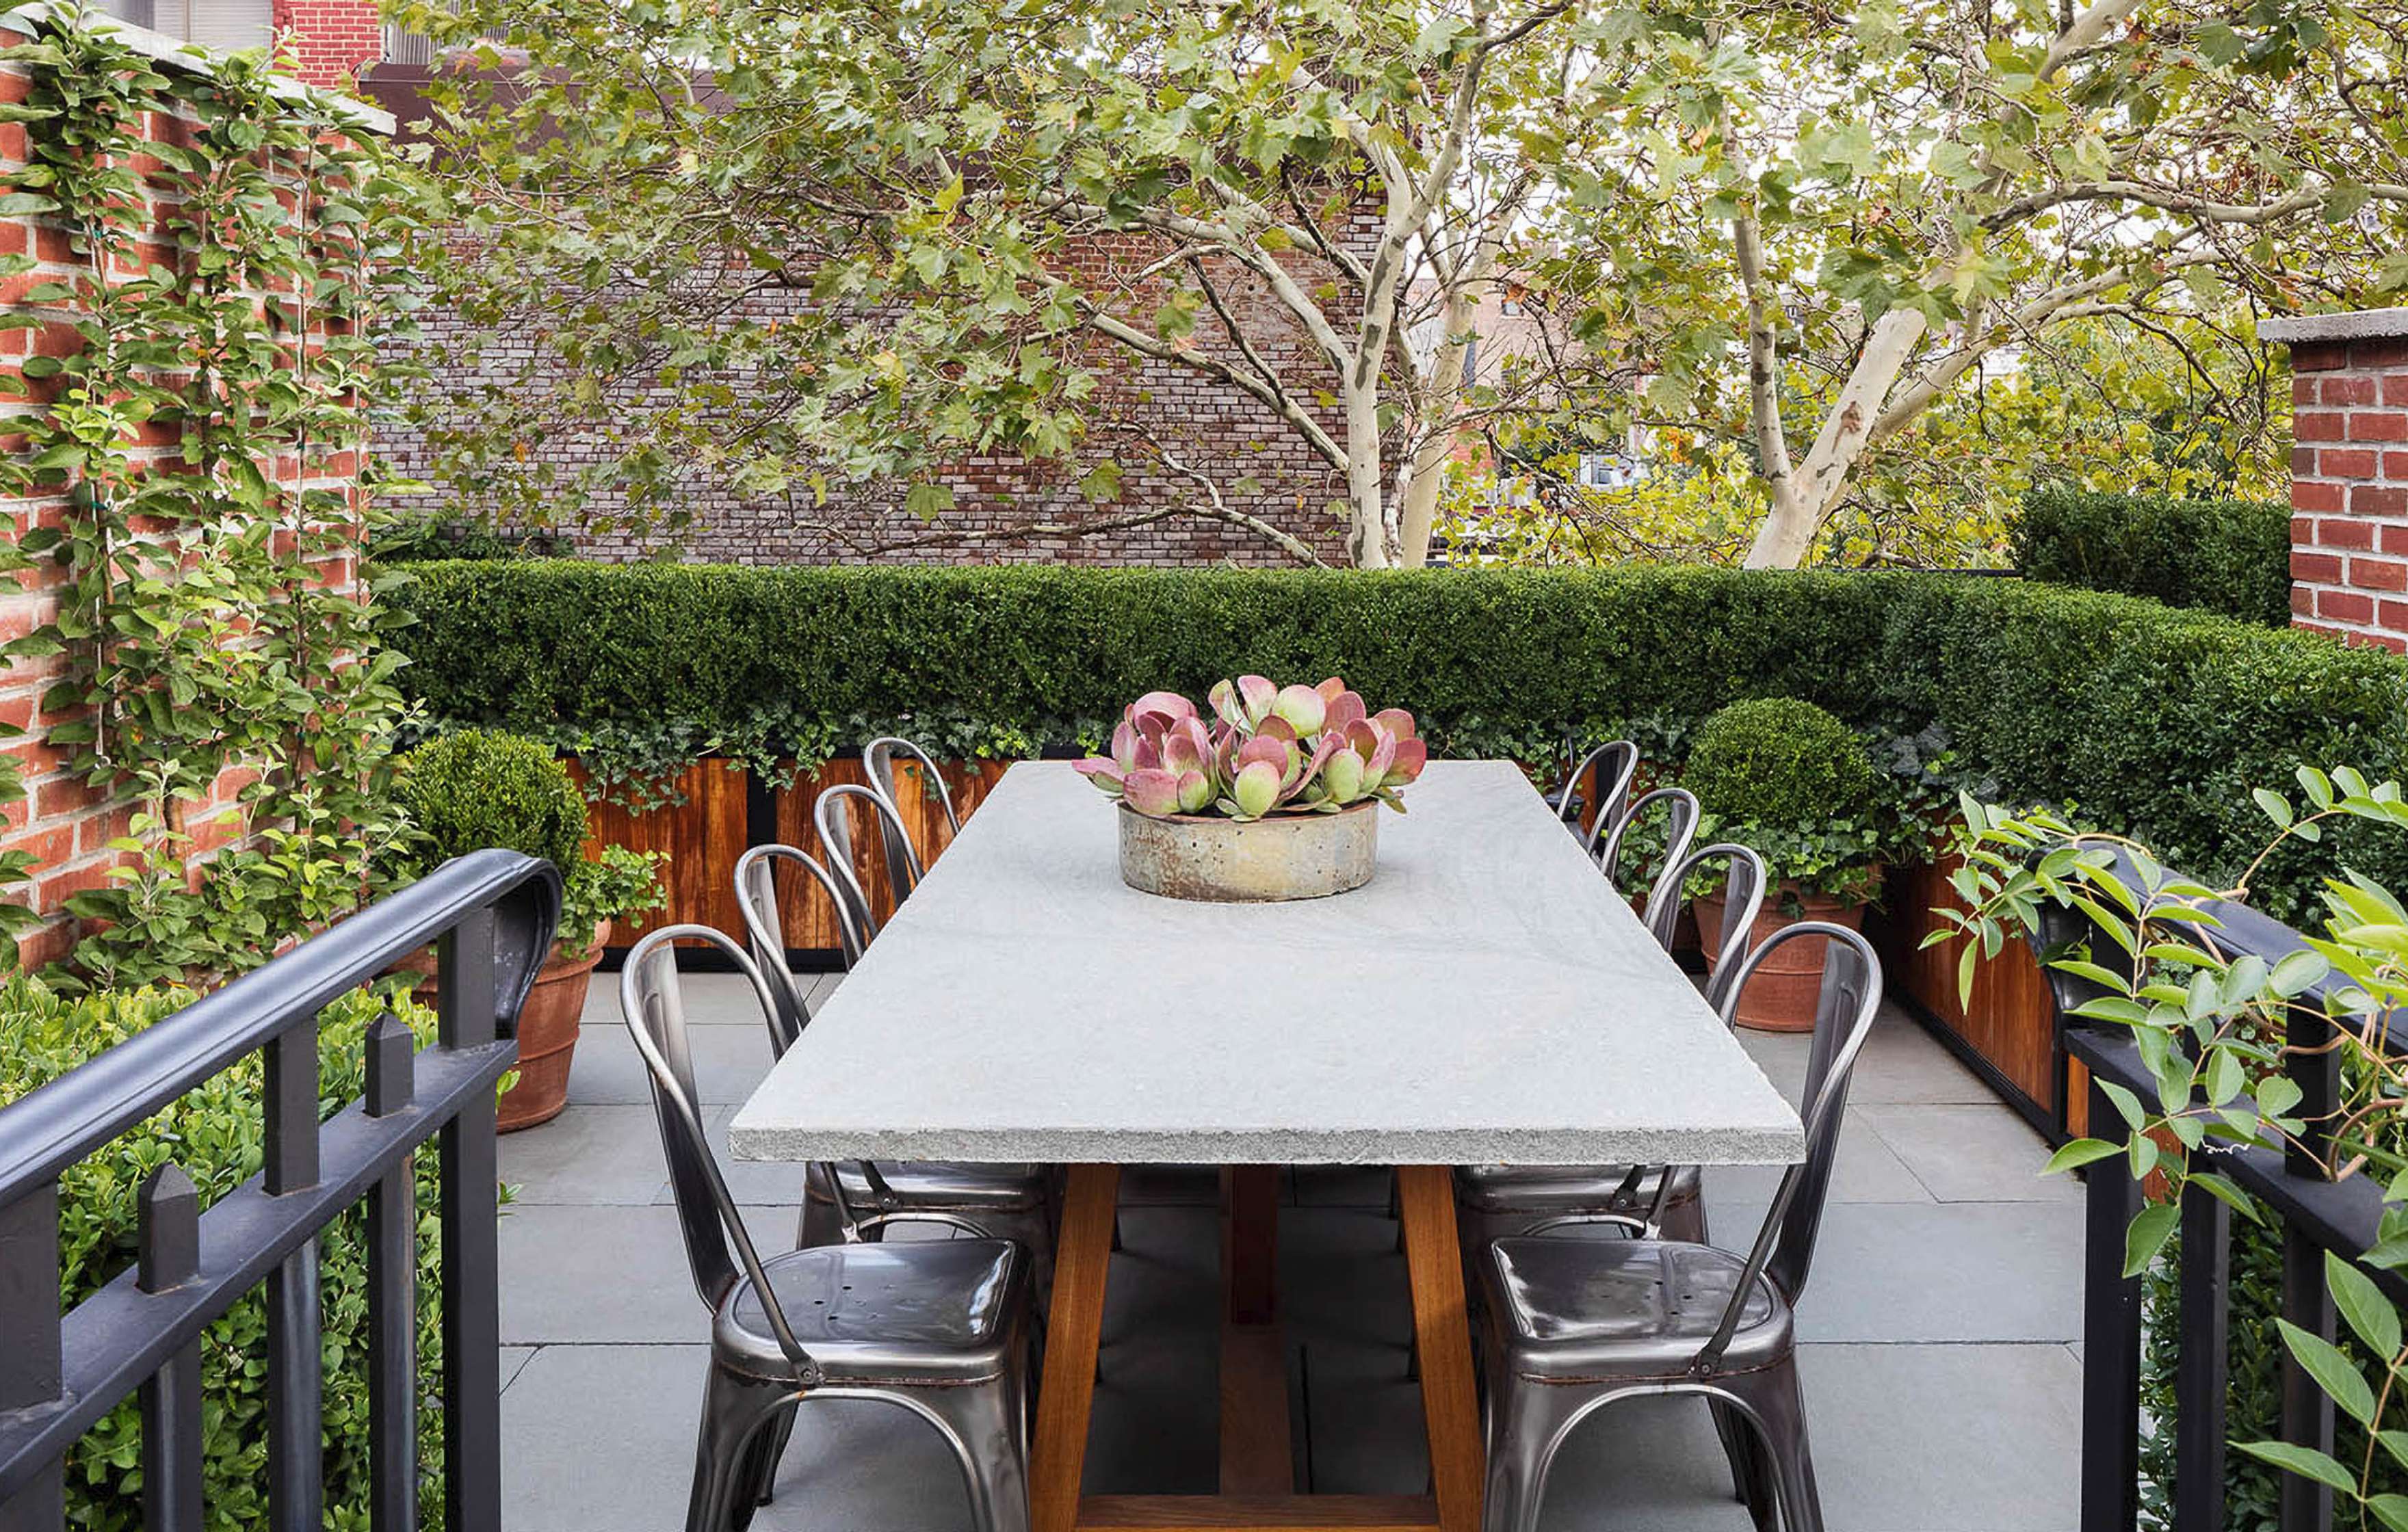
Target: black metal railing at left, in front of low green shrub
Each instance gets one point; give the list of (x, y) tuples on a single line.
[(492, 919)]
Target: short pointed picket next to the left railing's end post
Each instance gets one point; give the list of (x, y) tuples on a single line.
[(394, 1295)]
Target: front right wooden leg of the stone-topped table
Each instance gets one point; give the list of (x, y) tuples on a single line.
[(1444, 1331)]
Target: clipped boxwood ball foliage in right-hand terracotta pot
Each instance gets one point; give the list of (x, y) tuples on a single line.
[(1781, 760)]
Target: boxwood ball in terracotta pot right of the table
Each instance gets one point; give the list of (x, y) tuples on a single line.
[(1800, 789)]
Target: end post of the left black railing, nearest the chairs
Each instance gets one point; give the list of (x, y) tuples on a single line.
[(471, 1247)]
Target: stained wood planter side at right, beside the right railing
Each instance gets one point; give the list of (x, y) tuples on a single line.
[(2009, 1020)]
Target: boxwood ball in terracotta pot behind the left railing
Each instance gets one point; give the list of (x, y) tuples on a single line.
[(488, 789)]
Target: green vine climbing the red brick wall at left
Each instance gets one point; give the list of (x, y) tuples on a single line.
[(201, 394)]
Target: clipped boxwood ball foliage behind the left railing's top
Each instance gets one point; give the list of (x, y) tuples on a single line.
[(483, 789)]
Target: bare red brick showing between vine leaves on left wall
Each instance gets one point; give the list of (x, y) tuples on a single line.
[(64, 823)]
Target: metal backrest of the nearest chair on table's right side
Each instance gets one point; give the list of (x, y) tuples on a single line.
[(1843, 1023)]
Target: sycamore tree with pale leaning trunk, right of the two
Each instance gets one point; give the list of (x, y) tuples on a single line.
[(1819, 223)]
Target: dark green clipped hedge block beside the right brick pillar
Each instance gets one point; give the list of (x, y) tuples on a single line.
[(2226, 558)]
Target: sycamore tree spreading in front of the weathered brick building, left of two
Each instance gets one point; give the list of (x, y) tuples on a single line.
[(846, 244)]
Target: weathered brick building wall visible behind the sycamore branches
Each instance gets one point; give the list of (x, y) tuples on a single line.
[(1258, 464)]
